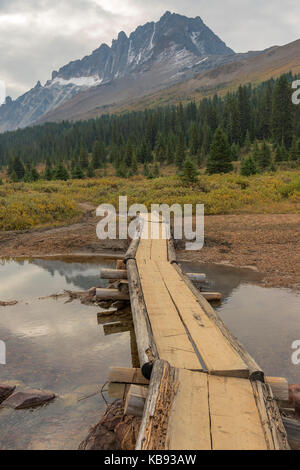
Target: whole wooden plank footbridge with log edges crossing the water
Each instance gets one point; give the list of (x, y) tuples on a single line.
[(205, 392)]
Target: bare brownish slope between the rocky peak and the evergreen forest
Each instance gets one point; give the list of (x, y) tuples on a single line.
[(254, 67)]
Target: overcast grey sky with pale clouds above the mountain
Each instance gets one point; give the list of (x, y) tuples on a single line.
[(38, 36)]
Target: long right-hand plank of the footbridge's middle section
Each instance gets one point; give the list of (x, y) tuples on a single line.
[(216, 352)]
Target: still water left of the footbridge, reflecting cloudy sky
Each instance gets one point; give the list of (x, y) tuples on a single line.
[(57, 346)]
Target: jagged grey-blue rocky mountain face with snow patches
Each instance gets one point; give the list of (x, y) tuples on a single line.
[(152, 57)]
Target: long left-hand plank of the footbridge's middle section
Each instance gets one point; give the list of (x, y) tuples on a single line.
[(170, 336)]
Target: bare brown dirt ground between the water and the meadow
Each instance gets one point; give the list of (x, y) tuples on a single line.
[(268, 243)]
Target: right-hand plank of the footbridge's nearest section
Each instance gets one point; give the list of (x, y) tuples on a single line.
[(235, 420)]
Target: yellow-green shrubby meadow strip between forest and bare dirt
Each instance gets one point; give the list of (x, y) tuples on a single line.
[(50, 203)]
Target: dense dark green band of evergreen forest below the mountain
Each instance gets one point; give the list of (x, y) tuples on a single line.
[(261, 119)]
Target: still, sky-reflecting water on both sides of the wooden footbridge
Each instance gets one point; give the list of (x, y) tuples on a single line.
[(61, 347)]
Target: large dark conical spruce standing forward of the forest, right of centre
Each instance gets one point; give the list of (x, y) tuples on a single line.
[(219, 160)]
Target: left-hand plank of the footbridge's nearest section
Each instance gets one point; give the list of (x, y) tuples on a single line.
[(189, 417)]
